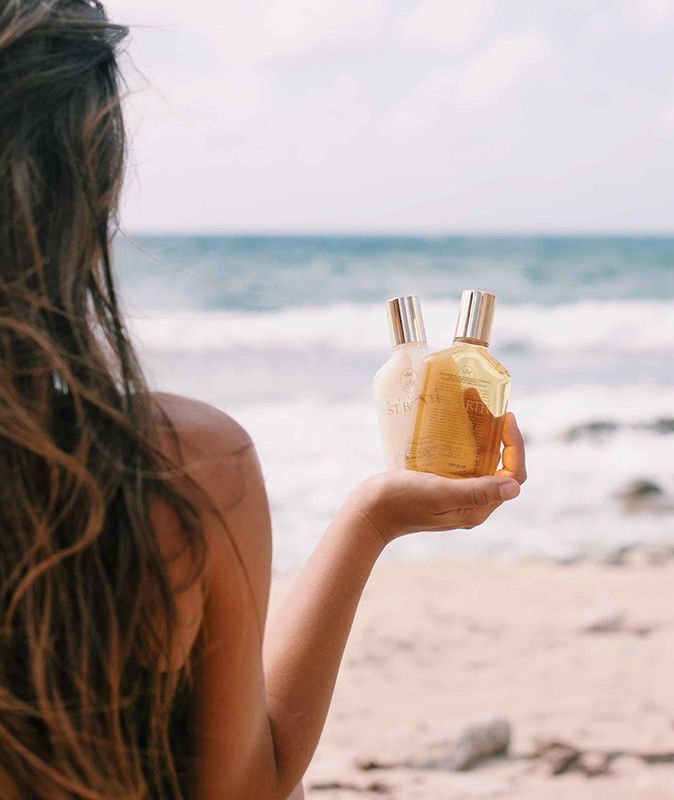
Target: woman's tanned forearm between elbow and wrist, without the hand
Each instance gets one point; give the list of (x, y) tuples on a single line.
[(306, 638)]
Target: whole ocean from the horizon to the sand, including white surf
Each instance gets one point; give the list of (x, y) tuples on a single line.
[(286, 333)]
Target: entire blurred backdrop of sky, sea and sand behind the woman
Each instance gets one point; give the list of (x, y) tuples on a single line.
[(293, 164)]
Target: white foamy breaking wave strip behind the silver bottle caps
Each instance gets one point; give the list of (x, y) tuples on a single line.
[(625, 326)]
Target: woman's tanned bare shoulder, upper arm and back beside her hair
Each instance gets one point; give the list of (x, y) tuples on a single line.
[(223, 616)]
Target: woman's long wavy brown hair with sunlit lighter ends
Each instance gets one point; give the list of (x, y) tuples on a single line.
[(79, 451)]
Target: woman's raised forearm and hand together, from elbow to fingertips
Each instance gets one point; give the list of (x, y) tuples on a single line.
[(308, 633)]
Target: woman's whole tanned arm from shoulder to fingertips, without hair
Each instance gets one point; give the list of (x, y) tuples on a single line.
[(257, 723)]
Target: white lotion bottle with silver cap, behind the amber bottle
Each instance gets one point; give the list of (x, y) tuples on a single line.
[(395, 386)]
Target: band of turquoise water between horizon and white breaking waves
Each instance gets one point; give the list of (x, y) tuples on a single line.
[(266, 273)]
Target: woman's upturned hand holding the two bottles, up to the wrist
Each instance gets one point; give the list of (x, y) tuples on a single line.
[(402, 501)]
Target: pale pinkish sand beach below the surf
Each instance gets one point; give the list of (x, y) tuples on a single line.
[(437, 645)]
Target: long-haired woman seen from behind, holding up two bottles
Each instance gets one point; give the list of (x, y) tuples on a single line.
[(135, 552)]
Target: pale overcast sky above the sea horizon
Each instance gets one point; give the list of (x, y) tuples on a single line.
[(400, 115)]
